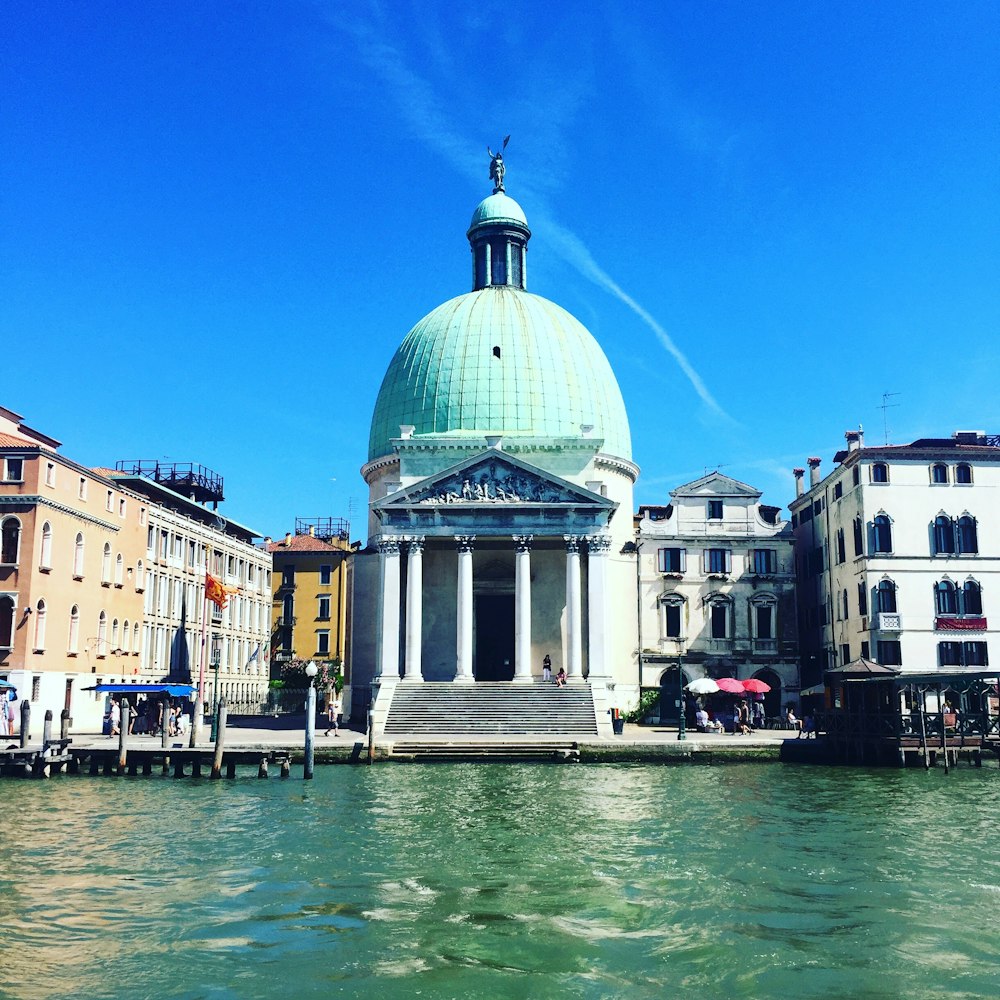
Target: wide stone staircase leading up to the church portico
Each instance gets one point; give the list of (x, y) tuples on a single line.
[(488, 712)]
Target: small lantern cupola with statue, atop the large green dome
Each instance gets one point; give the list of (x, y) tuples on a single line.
[(499, 235)]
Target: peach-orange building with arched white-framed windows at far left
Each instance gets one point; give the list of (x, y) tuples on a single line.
[(72, 575)]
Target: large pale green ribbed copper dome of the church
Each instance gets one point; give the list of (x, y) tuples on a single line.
[(500, 360)]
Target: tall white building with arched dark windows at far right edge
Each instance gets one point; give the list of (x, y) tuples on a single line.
[(897, 555)]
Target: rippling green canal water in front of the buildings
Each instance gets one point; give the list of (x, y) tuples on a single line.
[(505, 881)]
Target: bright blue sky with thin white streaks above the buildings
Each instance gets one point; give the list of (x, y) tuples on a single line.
[(220, 219)]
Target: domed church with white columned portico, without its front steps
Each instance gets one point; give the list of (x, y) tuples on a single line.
[(500, 495)]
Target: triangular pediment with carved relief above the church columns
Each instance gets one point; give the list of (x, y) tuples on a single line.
[(491, 479)]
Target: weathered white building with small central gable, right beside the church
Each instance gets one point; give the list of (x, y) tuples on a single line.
[(717, 591)]
